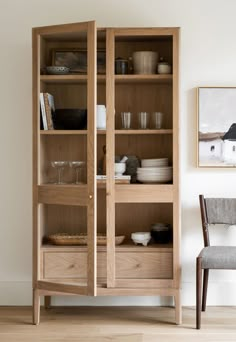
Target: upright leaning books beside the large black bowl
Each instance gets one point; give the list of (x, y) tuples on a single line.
[(47, 108)]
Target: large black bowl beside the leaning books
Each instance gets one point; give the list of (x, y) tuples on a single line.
[(70, 118)]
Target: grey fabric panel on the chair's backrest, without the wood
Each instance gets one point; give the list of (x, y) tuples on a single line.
[(221, 210)]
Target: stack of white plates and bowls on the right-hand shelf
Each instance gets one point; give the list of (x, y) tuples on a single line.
[(154, 171)]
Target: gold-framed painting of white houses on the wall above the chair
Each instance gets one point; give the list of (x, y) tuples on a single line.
[(216, 126)]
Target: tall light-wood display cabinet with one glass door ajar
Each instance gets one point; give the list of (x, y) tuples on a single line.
[(112, 209)]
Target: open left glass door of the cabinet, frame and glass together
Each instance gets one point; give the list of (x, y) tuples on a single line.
[(64, 158)]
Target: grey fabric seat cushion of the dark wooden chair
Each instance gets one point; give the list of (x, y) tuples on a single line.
[(218, 257)]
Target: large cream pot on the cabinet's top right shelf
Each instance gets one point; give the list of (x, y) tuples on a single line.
[(145, 62)]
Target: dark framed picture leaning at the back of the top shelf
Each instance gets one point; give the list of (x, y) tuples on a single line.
[(76, 60)]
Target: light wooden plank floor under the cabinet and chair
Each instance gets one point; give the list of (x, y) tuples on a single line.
[(116, 324)]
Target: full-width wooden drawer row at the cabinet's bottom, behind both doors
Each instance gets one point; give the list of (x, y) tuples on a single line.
[(129, 265)]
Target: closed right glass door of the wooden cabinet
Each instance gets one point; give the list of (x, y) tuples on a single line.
[(138, 94)]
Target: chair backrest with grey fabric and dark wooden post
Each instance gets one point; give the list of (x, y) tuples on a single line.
[(216, 211)]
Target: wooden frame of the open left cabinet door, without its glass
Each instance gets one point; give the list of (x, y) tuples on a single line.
[(38, 33)]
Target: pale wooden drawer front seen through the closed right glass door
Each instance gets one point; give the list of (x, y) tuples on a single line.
[(144, 265)]
